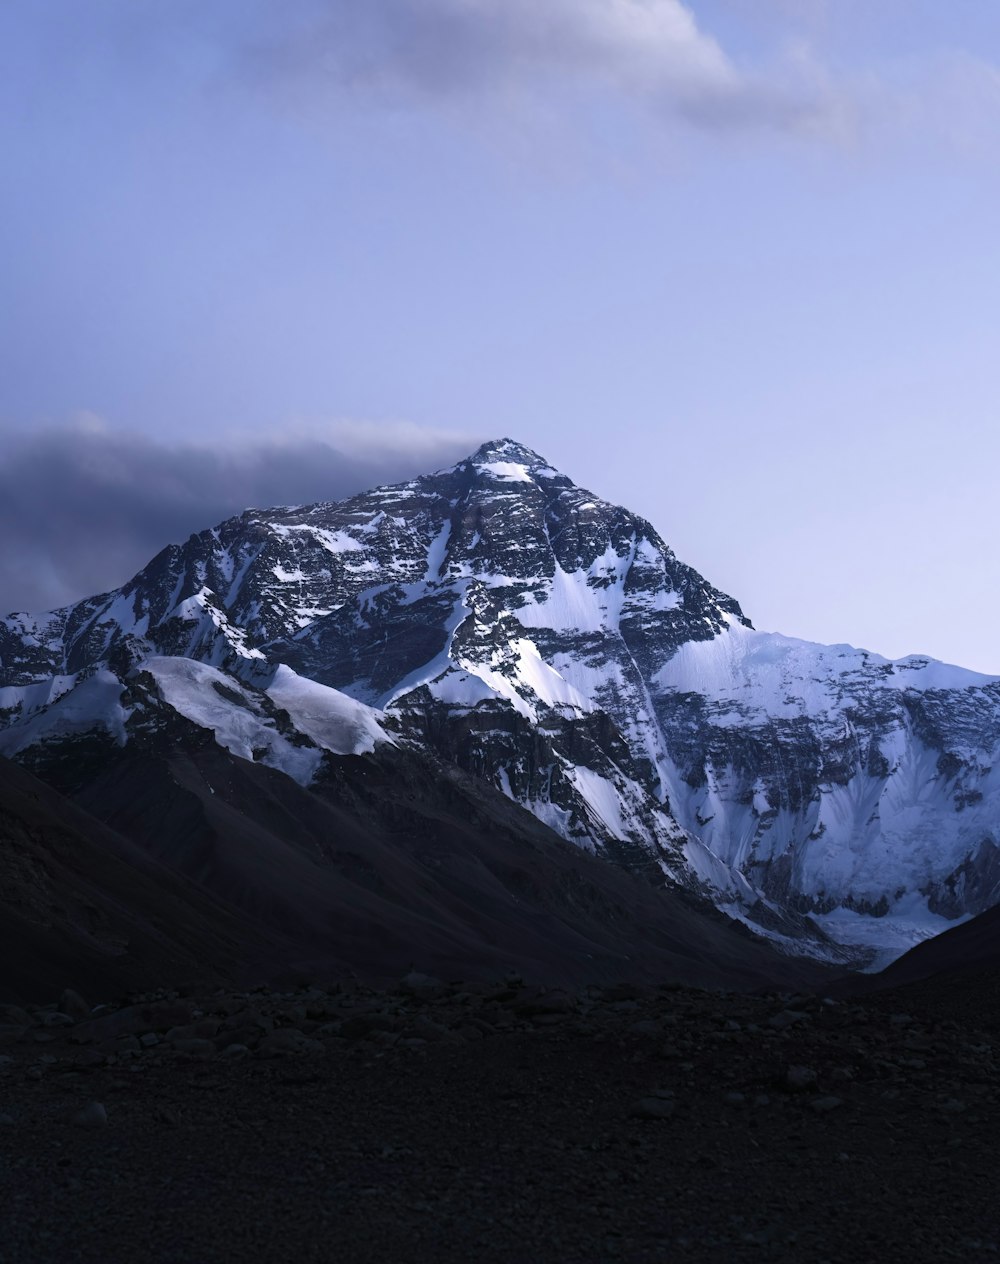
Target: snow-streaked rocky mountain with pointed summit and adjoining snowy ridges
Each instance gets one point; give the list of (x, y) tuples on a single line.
[(553, 645)]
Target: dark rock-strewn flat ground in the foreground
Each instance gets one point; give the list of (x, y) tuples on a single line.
[(500, 1122)]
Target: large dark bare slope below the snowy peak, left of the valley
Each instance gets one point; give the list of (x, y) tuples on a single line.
[(186, 860)]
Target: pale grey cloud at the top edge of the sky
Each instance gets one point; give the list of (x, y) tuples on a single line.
[(652, 52)]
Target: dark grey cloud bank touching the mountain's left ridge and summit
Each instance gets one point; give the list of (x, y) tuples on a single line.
[(84, 507)]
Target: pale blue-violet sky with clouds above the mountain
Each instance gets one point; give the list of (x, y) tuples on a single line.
[(733, 265)]
